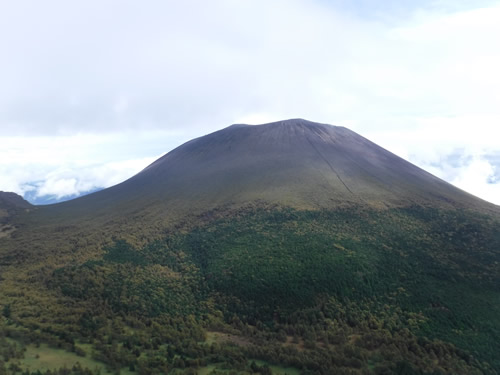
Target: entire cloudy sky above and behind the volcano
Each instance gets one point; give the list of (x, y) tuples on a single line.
[(91, 91)]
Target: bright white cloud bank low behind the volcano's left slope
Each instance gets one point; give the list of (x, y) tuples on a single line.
[(70, 165)]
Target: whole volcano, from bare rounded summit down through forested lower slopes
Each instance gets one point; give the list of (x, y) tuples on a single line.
[(291, 247)]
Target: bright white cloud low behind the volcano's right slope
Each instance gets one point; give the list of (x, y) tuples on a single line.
[(459, 150)]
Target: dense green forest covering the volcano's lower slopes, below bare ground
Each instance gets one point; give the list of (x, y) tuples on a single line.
[(271, 290)]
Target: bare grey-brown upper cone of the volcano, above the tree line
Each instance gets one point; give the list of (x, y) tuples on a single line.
[(297, 163)]
